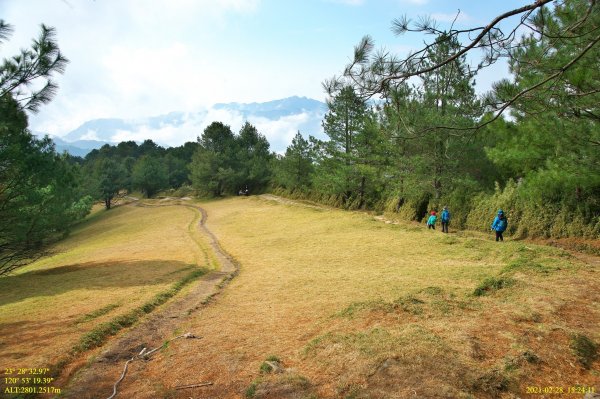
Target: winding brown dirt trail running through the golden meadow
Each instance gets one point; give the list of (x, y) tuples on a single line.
[(98, 378)]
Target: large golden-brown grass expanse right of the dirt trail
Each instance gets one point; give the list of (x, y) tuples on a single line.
[(356, 308)]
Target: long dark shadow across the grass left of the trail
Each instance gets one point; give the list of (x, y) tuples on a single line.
[(91, 276)]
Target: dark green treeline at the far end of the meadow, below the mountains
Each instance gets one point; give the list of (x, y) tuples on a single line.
[(219, 163)]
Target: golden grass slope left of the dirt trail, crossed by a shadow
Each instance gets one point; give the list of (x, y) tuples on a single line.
[(111, 264)]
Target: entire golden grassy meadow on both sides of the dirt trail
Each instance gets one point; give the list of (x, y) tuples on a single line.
[(347, 305)]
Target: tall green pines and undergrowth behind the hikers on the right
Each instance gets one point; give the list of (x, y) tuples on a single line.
[(429, 141)]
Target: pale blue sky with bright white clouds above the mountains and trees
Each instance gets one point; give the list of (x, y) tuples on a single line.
[(137, 58)]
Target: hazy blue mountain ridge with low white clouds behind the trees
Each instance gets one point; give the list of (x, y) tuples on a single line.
[(281, 119)]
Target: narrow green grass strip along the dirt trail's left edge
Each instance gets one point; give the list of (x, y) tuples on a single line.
[(100, 333)]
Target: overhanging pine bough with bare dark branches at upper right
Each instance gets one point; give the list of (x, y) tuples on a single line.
[(376, 73)]
